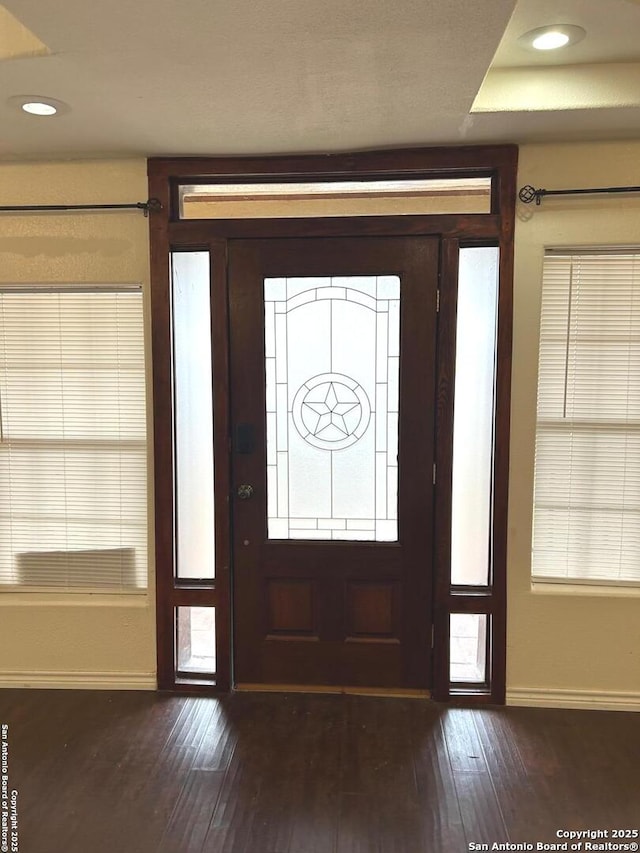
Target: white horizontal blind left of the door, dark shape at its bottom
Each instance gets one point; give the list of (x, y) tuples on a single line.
[(73, 489)]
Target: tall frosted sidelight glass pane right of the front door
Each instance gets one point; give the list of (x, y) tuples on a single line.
[(473, 416)]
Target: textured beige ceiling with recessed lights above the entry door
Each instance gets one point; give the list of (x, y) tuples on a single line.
[(189, 77)]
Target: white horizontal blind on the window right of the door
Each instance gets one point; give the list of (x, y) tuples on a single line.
[(587, 477)]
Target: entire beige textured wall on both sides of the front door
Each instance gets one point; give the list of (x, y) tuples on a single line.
[(565, 647)]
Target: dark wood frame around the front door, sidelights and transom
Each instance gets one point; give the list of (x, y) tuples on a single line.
[(169, 233)]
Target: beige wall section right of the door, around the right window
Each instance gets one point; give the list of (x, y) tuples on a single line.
[(566, 646)]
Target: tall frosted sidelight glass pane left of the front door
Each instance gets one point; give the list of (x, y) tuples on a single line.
[(193, 408)]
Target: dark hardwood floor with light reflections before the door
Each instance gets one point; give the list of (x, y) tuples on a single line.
[(293, 773)]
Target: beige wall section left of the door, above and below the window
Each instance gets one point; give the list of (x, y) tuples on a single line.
[(65, 639)]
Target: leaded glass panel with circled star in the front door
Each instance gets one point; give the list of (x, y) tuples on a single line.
[(332, 348)]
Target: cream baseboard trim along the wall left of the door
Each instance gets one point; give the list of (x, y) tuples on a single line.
[(80, 680)]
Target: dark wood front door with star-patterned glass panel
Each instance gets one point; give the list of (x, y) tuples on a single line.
[(332, 356)]
